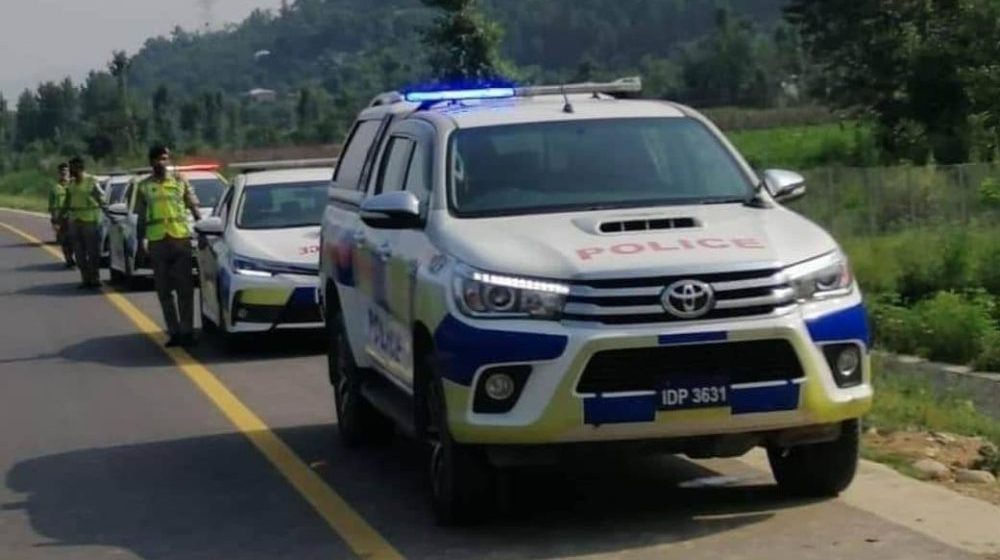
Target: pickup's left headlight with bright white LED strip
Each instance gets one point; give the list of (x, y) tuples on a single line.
[(481, 294)]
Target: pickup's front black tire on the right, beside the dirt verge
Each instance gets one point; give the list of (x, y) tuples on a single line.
[(820, 469)]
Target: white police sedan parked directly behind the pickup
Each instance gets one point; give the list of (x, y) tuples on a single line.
[(258, 253)]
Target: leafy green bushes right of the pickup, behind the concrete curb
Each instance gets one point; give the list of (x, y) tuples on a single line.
[(934, 293)]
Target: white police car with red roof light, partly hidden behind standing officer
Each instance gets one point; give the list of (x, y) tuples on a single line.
[(127, 258)]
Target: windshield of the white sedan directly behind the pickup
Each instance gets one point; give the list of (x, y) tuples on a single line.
[(284, 205)]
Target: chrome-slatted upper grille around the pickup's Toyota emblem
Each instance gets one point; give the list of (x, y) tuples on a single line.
[(638, 300)]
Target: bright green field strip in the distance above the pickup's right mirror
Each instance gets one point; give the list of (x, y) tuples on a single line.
[(803, 147)]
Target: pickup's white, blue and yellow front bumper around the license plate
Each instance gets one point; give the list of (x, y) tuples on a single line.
[(551, 409)]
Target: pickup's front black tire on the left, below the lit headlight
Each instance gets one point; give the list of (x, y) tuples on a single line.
[(463, 483)]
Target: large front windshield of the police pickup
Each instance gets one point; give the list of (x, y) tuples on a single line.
[(613, 163)]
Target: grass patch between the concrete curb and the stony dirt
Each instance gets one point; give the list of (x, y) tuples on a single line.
[(905, 402)]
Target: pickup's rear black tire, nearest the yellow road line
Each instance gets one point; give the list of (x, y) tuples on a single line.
[(358, 422)]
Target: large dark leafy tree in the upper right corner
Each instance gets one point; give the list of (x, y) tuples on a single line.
[(901, 63)]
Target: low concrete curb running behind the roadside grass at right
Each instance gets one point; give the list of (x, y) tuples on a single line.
[(982, 388)]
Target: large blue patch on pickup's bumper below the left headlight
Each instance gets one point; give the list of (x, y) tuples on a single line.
[(462, 349)]
